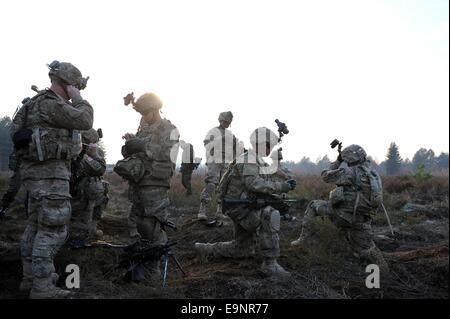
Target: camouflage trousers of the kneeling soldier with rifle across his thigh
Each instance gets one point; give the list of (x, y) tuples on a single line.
[(251, 227)]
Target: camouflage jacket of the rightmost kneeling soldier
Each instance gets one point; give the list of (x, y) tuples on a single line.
[(351, 180)]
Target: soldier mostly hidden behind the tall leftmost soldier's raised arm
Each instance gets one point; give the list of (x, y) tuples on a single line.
[(88, 189)]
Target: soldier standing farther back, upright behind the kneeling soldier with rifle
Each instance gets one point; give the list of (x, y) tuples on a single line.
[(221, 149)]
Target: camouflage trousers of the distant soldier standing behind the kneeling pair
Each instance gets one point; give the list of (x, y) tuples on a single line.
[(213, 175)]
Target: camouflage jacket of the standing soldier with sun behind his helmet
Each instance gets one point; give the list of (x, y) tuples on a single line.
[(160, 141)]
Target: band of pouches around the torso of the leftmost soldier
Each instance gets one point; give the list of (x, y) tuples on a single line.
[(50, 143)]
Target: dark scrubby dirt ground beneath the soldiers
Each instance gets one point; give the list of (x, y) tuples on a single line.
[(417, 253)]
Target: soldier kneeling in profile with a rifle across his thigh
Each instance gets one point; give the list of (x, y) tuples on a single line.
[(248, 178)]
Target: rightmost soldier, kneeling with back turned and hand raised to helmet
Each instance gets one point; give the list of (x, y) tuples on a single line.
[(358, 192)]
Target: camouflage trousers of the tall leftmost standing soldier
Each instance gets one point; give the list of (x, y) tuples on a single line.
[(49, 213)]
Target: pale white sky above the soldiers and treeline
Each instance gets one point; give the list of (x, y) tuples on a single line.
[(366, 72)]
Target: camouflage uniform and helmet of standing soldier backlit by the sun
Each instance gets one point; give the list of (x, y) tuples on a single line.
[(149, 196)]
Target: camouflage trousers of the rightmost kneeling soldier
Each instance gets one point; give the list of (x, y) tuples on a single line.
[(358, 233)]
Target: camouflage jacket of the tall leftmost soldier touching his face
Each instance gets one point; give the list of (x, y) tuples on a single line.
[(56, 120)]
